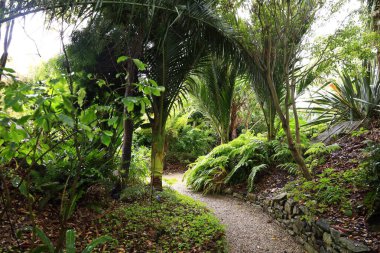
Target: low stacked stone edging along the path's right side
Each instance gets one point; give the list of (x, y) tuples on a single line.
[(315, 235)]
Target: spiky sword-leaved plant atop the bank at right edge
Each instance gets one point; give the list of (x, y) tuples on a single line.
[(351, 98)]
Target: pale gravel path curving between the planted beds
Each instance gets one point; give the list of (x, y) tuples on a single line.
[(248, 228)]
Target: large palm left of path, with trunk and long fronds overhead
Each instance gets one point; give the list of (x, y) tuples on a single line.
[(170, 36)]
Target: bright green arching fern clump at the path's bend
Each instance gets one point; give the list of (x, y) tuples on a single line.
[(237, 161)]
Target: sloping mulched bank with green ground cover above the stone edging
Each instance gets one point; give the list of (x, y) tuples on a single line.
[(345, 186)]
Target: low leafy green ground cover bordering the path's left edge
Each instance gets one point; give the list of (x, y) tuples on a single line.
[(170, 223)]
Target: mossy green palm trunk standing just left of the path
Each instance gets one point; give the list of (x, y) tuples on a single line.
[(158, 153)]
